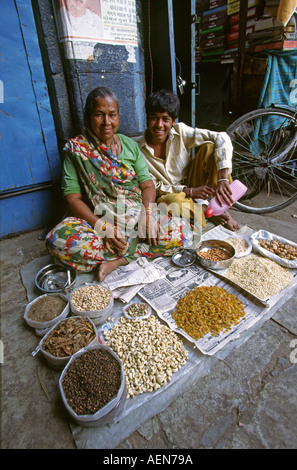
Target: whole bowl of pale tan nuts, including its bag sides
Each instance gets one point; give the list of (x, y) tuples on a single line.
[(93, 301)]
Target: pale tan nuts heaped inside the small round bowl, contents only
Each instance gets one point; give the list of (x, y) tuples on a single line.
[(91, 298)]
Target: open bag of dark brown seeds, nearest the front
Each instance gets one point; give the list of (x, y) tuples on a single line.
[(93, 386)]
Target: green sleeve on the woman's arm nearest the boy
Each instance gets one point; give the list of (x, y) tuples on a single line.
[(132, 156)]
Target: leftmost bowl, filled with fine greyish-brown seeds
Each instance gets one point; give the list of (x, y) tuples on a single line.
[(45, 311)]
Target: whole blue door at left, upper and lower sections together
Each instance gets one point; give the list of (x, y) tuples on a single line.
[(28, 145)]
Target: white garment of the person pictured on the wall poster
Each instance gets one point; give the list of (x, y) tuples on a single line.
[(88, 27)]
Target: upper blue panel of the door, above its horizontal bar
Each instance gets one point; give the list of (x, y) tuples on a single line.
[(28, 145)]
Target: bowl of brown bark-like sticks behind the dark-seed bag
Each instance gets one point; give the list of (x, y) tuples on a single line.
[(66, 338)]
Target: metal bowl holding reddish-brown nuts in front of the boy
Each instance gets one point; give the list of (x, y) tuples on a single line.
[(215, 264)]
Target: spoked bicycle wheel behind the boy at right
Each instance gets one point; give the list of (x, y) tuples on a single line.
[(265, 158)]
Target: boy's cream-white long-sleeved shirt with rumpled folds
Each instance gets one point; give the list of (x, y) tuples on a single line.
[(169, 173)]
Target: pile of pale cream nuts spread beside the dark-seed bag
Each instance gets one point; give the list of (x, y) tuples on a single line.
[(150, 353)]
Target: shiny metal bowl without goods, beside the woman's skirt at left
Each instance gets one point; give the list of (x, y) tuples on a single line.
[(55, 278)]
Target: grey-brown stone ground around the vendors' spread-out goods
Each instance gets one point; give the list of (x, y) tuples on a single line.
[(247, 401)]
